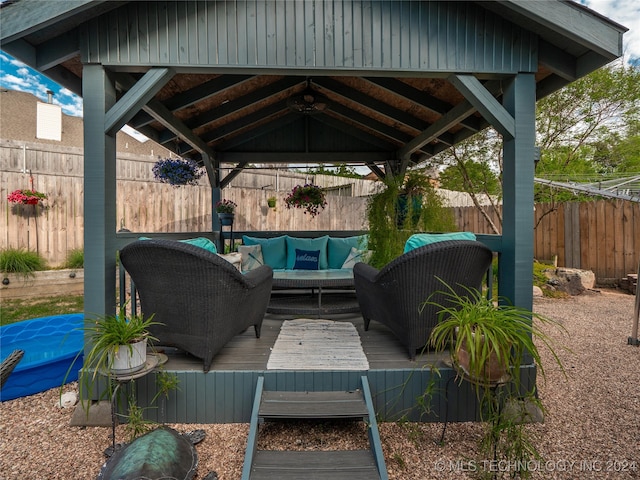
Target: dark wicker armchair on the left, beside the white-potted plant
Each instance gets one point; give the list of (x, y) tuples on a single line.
[(200, 299)]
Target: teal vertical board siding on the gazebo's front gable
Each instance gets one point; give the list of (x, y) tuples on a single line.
[(333, 35)]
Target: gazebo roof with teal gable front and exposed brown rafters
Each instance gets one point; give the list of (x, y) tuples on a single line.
[(375, 80)]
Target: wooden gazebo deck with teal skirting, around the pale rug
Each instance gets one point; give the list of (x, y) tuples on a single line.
[(225, 394)]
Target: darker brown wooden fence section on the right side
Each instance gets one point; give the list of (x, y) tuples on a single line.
[(602, 236)]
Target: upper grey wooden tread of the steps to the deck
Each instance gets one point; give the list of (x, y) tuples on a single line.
[(312, 405)]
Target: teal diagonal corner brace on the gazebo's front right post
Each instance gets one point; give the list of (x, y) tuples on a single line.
[(485, 103)]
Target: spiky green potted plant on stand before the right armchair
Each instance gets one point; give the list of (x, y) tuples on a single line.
[(488, 342)]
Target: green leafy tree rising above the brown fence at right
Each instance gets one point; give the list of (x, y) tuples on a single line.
[(588, 129)]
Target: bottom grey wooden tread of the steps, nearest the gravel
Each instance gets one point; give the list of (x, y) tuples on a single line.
[(336, 465)]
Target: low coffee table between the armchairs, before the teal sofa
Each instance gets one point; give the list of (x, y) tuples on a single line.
[(326, 292)]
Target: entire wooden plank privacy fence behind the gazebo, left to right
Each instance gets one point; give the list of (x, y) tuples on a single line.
[(603, 236)]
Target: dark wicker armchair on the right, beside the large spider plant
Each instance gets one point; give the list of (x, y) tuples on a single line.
[(394, 295)]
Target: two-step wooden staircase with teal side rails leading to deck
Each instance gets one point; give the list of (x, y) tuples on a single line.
[(314, 465)]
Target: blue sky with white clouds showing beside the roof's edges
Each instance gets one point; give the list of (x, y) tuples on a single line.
[(14, 75)]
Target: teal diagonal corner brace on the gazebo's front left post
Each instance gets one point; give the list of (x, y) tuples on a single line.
[(136, 97)]
